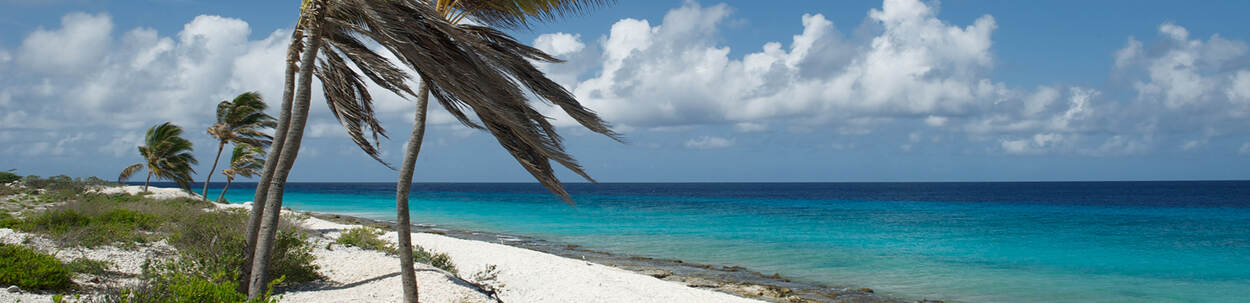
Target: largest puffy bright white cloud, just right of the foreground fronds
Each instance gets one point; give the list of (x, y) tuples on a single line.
[(676, 73)]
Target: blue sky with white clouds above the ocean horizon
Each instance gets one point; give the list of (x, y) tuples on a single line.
[(802, 91)]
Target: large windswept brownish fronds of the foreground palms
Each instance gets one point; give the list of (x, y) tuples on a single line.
[(471, 69)]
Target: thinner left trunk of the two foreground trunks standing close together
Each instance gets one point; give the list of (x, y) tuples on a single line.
[(276, 151)]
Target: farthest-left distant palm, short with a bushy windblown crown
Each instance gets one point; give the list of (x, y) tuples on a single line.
[(167, 156)]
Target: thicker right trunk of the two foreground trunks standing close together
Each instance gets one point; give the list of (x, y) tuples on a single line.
[(291, 150)]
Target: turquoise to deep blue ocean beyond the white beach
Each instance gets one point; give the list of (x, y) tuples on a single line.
[(959, 242)]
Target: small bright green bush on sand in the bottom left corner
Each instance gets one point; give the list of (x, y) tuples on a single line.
[(31, 270)]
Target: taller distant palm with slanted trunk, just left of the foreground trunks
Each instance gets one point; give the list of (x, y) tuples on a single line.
[(239, 122)]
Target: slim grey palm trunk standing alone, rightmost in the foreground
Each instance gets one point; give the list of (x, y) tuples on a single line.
[(406, 185)]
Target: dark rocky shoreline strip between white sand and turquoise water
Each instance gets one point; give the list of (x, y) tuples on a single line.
[(732, 280)]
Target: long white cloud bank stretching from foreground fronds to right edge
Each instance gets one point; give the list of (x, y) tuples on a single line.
[(913, 69)]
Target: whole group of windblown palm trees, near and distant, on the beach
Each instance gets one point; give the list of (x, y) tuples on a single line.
[(479, 74)]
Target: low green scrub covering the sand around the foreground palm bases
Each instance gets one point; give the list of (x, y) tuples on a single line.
[(209, 245)]
